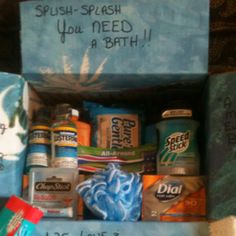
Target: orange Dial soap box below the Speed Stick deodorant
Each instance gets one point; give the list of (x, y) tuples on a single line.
[(174, 198)]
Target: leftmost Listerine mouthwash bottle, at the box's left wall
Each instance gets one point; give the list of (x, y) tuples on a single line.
[(39, 140)]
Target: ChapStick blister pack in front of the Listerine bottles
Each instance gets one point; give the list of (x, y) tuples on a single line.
[(53, 191)]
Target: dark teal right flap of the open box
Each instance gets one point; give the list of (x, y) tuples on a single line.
[(220, 144)]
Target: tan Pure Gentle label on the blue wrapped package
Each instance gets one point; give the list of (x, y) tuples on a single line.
[(118, 131)]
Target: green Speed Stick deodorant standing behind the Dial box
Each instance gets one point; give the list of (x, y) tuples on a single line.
[(178, 149)]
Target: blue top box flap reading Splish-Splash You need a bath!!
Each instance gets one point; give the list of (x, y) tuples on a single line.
[(103, 45)]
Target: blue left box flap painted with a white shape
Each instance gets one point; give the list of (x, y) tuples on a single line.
[(13, 132)]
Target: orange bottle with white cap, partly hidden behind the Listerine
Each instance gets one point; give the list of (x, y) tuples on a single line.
[(83, 128)]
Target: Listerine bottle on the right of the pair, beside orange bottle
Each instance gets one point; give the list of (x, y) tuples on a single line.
[(64, 138)]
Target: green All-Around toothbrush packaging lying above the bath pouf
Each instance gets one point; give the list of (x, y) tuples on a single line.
[(138, 160)]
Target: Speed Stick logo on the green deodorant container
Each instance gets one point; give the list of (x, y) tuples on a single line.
[(178, 142)]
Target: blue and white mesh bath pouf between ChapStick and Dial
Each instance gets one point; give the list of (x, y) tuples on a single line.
[(113, 194)]
